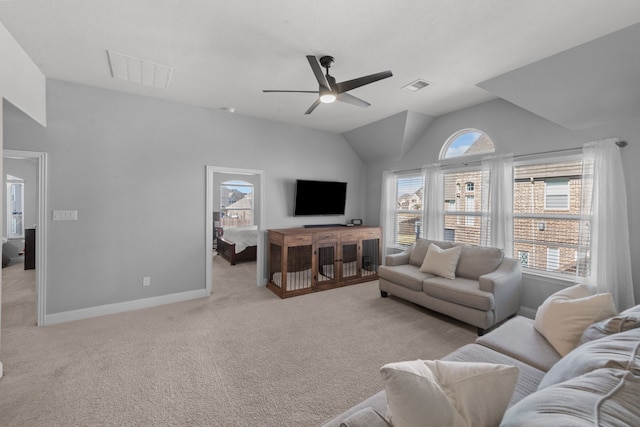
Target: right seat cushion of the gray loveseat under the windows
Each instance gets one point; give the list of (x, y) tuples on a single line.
[(460, 291)]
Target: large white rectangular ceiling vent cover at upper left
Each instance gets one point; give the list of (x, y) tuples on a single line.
[(139, 71)]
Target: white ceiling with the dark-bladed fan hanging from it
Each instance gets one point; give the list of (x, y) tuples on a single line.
[(224, 53)]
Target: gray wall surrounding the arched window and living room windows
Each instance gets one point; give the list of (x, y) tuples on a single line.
[(514, 130)]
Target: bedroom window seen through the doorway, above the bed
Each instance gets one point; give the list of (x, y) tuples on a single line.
[(236, 204)]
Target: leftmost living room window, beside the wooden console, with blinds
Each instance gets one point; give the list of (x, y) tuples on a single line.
[(408, 210)]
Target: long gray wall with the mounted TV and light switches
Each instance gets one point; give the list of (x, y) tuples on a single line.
[(134, 169)]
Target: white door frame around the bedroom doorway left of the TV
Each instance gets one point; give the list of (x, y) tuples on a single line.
[(209, 206)]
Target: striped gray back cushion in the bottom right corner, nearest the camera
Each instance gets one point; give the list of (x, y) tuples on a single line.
[(605, 397)]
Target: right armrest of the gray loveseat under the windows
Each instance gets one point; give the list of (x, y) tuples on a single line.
[(504, 283)]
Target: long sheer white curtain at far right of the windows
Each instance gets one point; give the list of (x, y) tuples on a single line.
[(604, 214)]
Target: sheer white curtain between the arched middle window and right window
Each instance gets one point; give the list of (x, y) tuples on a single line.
[(497, 202)]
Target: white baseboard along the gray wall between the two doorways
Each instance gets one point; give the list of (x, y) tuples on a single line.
[(102, 310)]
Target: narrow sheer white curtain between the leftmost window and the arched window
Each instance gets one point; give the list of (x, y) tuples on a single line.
[(433, 202)]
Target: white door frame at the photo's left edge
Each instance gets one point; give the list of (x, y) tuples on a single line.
[(41, 229)]
